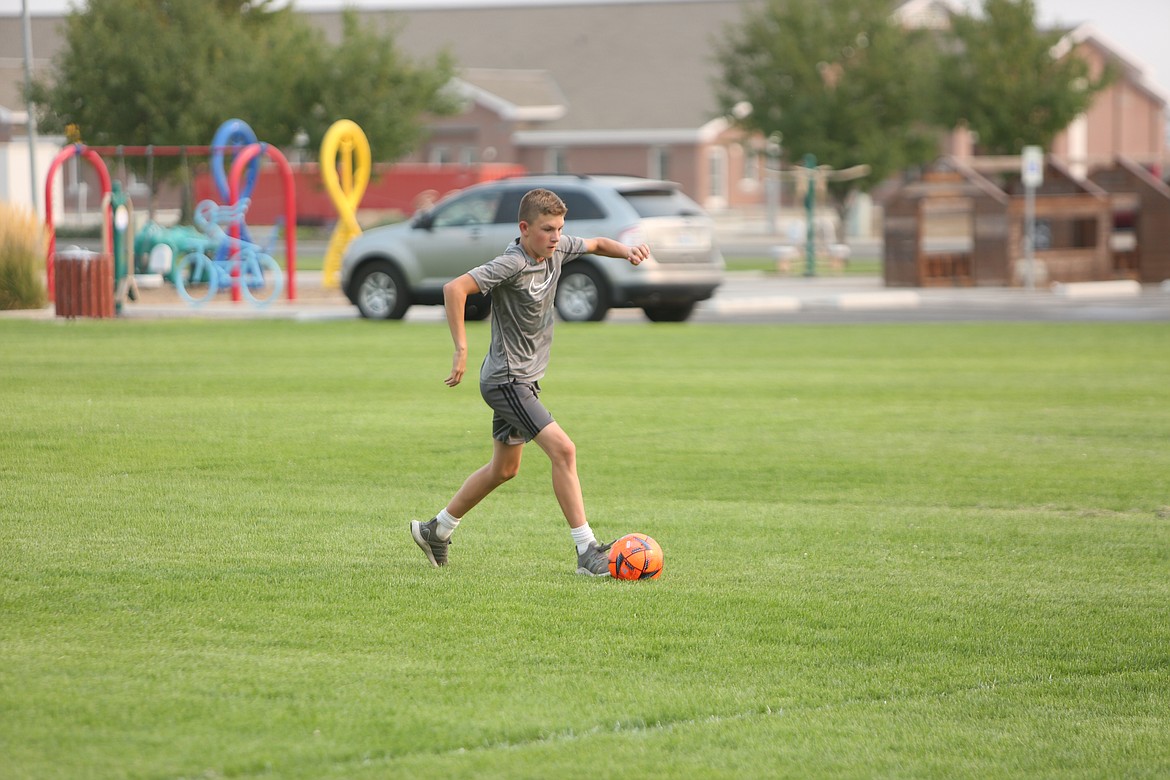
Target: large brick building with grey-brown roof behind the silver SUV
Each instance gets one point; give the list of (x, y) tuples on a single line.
[(586, 88)]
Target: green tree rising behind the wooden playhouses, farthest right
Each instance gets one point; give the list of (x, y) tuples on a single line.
[(1003, 80)]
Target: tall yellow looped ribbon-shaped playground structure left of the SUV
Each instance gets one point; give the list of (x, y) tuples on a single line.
[(347, 149)]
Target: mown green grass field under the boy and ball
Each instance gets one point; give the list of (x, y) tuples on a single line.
[(924, 551)]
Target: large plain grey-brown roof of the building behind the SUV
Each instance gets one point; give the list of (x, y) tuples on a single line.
[(641, 67)]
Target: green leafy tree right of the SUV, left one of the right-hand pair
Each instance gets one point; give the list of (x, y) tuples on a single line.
[(837, 79)]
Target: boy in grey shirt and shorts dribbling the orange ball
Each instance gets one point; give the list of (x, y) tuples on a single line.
[(524, 285)]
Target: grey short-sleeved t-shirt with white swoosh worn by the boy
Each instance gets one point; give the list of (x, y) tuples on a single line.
[(522, 295)]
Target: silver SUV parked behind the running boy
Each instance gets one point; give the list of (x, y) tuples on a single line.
[(386, 271)]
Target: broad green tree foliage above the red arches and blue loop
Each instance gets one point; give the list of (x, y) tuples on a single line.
[(144, 72)]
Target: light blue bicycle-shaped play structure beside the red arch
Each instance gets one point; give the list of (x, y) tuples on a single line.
[(233, 260)]
